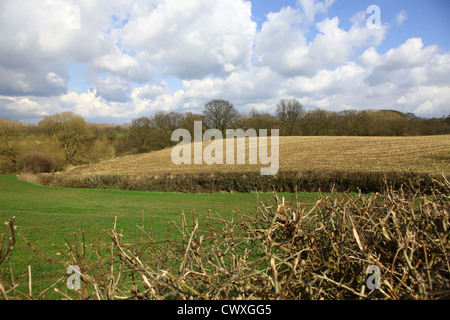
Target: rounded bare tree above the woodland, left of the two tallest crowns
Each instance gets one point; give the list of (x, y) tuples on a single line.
[(220, 114)]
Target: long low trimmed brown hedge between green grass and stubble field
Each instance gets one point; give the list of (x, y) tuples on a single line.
[(284, 181)]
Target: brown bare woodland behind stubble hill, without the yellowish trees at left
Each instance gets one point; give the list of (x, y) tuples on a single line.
[(153, 133)]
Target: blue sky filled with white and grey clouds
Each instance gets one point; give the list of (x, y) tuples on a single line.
[(116, 60)]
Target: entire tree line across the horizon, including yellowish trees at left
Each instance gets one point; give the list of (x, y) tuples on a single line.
[(65, 139)]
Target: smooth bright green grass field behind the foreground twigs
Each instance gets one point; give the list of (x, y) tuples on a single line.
[(44, 216)]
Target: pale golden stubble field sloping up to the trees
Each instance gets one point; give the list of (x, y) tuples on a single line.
[(429, 154)]
